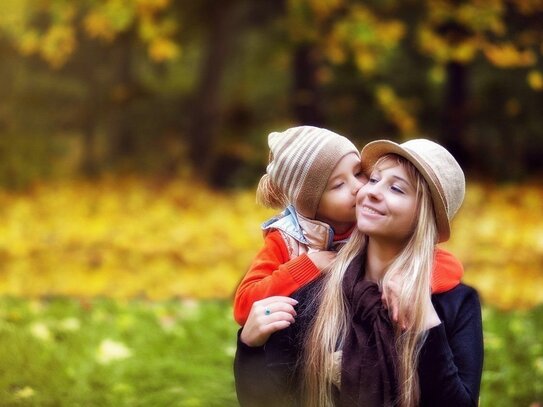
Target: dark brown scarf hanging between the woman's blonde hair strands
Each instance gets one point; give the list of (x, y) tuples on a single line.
[(368, 370)]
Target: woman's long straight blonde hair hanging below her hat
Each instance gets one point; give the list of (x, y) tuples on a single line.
[(413, 266)]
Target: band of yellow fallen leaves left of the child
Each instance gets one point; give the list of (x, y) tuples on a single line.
[(127, 238)]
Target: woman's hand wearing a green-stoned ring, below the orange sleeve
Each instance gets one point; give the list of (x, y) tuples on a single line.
[(266, 317)]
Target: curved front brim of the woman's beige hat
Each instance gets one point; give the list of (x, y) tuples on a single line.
[(374, 150)]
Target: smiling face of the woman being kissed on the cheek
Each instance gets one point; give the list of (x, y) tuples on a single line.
[(386, 206)]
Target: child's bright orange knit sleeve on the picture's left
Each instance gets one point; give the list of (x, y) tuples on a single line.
[(272, 273)]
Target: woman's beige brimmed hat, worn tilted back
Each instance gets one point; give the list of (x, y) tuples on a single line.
[(438, 167)]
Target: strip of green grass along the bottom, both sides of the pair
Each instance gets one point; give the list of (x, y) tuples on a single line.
[(179, 353)]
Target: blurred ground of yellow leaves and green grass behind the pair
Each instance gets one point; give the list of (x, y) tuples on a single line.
[(118, 293)]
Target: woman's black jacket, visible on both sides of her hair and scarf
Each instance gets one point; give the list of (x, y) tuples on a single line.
[(450, 363)]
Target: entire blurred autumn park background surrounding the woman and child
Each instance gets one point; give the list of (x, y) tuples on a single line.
[(132, 134)]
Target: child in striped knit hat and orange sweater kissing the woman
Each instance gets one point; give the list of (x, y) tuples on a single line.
[(314, 175)]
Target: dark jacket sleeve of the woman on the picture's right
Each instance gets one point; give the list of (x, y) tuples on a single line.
[(451, 359)]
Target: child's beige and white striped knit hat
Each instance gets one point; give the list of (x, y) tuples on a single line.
[(301, 162)]
